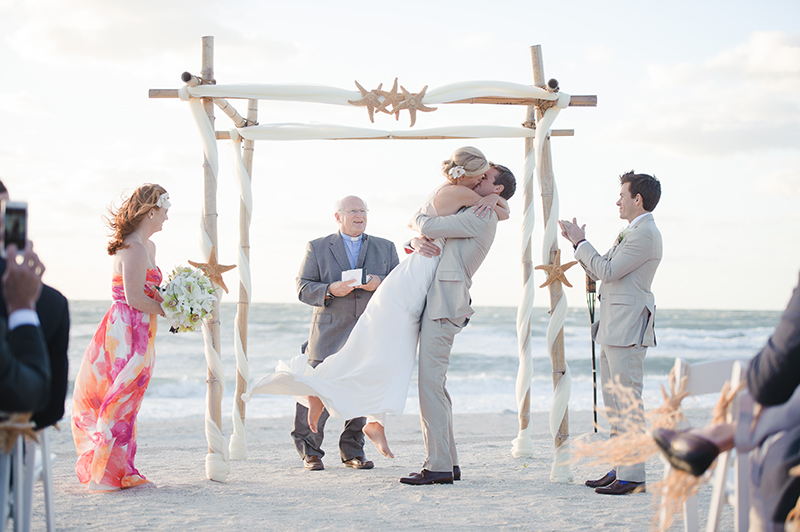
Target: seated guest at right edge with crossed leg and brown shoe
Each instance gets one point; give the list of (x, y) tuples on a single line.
[(773, 379)]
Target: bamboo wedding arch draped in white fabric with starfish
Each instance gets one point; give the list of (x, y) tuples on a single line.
[(543, 102)]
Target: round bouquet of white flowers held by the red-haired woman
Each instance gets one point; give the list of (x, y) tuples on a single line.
[(188, 299)]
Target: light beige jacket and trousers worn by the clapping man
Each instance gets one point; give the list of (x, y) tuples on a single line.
[(625, 327)]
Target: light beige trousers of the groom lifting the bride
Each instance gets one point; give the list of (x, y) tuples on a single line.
[(435, 405)]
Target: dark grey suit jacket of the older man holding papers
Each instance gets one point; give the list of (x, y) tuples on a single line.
[(323, 264)]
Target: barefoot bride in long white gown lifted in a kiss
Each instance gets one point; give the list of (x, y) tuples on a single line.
[(369, 376)]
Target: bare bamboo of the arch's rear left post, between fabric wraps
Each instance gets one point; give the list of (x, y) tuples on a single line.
[(244, 297)]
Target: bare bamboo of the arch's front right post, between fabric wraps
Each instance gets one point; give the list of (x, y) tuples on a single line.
[(547, 187)]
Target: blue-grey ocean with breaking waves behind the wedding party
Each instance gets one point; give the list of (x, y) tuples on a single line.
[(483, 364)]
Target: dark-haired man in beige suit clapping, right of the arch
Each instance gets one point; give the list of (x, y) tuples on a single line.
[(624, 329)]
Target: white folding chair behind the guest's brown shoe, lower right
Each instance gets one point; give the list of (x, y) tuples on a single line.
[(707, 378)]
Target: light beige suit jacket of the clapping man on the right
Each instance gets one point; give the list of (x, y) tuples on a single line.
[(626, 271)]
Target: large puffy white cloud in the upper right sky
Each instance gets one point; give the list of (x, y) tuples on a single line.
[(744, 99)]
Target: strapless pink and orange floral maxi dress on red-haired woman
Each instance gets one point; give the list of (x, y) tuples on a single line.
[(114, 375)]
